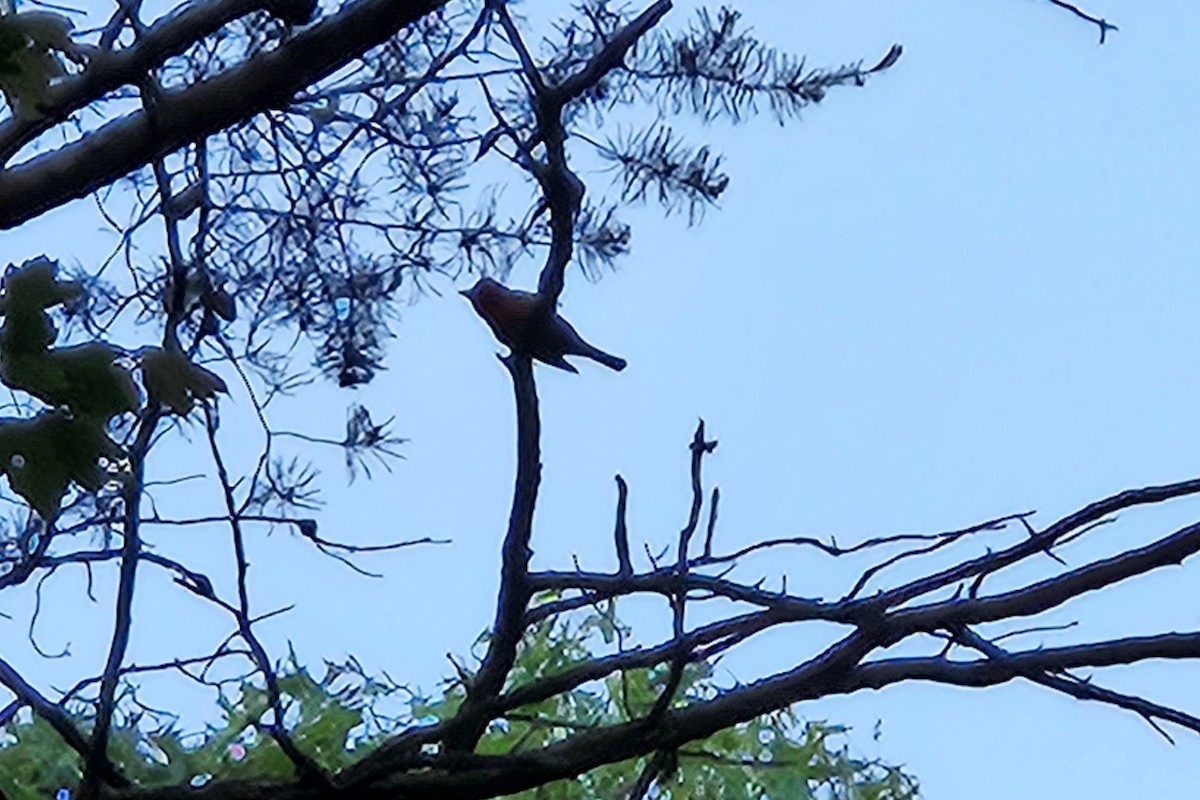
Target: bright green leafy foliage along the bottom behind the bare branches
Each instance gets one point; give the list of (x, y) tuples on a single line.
[(340, 717)]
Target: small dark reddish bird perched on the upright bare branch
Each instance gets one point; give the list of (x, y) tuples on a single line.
[(518, 322)]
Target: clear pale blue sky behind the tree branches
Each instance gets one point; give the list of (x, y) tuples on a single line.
[(962, 292)]
